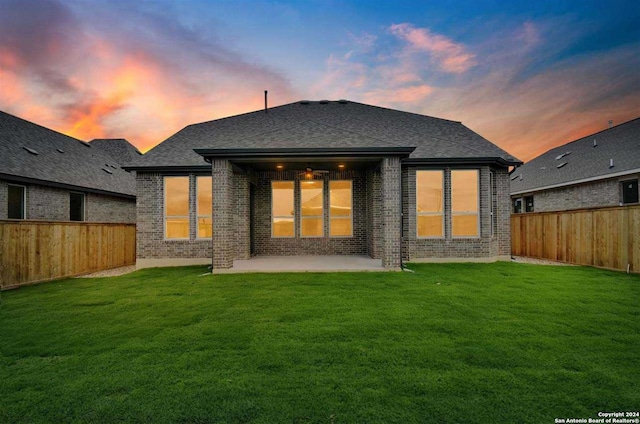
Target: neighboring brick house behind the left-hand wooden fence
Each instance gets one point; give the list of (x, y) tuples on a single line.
[(46, 175)]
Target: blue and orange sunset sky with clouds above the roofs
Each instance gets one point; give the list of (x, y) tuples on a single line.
[(526, 75)]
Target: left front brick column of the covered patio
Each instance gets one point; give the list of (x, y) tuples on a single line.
[(223, 233)]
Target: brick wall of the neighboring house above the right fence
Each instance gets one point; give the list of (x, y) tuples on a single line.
[(588, 195)]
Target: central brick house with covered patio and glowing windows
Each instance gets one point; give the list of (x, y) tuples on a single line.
[(323, 178)]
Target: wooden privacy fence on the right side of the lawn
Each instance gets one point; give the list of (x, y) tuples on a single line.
[(603, 237)]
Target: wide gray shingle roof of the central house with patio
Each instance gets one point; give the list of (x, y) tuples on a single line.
[(325, 124)]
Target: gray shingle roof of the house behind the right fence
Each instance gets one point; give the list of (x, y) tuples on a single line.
[(582, 160)]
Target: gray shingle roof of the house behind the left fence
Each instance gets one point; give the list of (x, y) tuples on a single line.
[(32, 153)]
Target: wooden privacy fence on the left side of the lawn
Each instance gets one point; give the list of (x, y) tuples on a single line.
[(35, 251)]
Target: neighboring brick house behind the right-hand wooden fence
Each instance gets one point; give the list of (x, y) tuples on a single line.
[(599, 170)]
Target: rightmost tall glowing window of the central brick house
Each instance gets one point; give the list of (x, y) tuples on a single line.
[(464, 203)]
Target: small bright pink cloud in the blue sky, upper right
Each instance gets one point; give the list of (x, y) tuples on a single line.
[(448, 55)]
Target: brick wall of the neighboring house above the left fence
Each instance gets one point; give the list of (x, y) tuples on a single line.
[(52, 204)]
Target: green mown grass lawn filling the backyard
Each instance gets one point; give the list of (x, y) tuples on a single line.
[(475, 343)]
